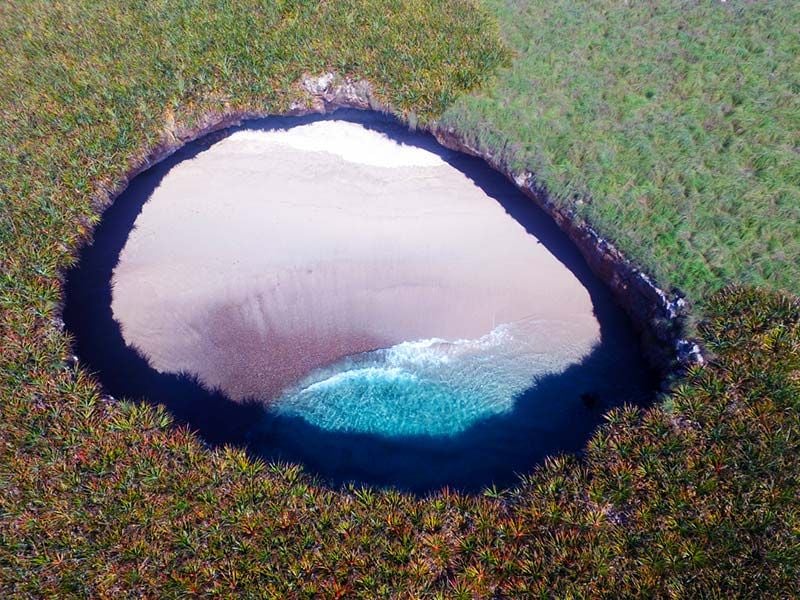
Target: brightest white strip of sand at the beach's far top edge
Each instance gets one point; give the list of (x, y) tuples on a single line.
[(349, 141)]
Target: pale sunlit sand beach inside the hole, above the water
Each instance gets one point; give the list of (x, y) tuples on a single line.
[(274, 253)]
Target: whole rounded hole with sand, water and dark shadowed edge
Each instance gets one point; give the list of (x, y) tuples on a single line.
[(341, 292)]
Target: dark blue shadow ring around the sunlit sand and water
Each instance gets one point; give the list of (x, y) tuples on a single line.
[(557, 415)]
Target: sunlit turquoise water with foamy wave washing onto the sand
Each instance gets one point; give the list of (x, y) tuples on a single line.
[(433, 387)]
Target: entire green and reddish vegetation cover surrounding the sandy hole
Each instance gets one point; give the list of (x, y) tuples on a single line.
[(697, 497)]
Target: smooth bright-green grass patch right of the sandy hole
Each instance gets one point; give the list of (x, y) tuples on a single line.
[(677, 124)]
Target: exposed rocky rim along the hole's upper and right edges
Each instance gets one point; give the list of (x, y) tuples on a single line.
[(658, 316)]
